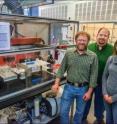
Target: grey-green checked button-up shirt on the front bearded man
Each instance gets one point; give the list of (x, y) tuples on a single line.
[(80, 67)]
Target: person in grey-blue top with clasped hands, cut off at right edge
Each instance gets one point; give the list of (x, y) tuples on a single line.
[(109, 88)]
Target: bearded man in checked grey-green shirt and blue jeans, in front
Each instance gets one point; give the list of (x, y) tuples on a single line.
[(81, 66)]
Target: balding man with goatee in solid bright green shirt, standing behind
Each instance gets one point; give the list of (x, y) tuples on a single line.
[(103, 50)]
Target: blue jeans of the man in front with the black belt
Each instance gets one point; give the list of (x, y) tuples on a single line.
[(69, 95)]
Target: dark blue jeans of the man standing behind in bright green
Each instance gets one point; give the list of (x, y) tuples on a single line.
[(98, 104)]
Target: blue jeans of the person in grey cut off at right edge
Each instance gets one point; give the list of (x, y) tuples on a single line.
[(111, 113)]
